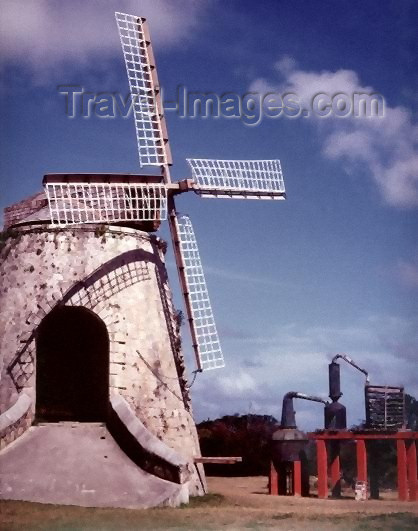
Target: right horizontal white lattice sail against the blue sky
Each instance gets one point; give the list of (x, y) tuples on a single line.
[(248, 179)]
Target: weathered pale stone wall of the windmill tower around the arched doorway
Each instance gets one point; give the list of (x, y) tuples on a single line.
[(119, 274)]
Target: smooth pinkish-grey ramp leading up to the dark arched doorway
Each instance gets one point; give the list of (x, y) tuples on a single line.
[(74, 463)]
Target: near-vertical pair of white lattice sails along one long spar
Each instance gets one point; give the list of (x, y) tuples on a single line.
[(153, 147)]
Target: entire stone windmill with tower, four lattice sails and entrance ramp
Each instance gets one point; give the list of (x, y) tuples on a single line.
[(94, 402)]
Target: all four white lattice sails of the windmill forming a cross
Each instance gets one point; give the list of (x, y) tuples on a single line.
[(140, 199)]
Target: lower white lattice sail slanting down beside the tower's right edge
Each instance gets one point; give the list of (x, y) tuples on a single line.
[(202, 321)]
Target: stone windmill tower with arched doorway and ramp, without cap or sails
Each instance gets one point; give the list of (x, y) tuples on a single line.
[(86, 317)]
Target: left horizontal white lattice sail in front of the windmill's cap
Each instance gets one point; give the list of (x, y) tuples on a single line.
[(89, 202)]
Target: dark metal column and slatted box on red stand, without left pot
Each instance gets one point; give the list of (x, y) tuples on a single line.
[(385, 419)]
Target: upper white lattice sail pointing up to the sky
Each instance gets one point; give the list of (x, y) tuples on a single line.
[(151, 132)]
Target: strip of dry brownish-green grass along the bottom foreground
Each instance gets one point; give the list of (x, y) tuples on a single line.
[(213, 511)]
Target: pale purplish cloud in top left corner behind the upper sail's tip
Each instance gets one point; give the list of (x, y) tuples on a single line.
[(46, 34)]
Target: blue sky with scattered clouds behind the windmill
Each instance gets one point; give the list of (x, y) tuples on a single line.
[(332, 269)]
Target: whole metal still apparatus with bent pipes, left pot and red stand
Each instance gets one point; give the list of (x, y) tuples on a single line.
[(385, 419)]
